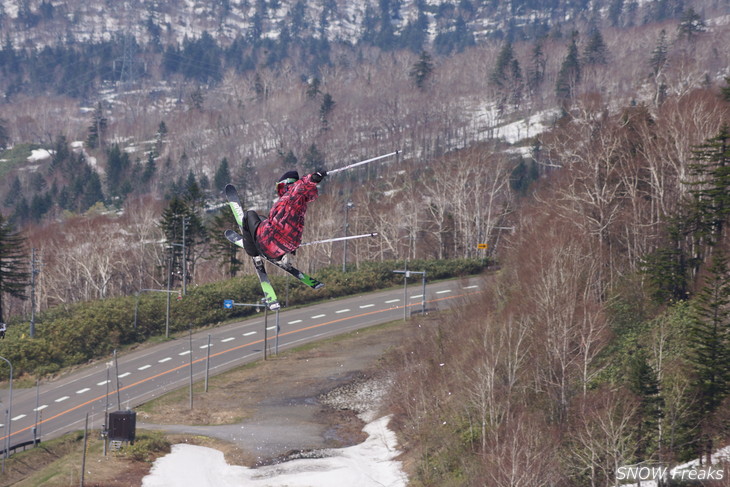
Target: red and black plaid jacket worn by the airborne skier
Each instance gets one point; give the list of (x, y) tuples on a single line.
[(281, 233)]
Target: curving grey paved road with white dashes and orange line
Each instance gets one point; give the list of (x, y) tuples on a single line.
[(61, 406)]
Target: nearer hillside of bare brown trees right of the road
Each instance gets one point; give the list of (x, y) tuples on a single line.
[(605, 339)]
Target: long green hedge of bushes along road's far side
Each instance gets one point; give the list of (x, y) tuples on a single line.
[(75, 334)]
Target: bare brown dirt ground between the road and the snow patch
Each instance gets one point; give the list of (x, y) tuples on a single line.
[(276, 410)]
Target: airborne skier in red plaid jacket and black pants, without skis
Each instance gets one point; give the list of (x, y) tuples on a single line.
[(281, 233)]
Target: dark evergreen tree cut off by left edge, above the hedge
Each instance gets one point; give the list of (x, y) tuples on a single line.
[(13, 264)]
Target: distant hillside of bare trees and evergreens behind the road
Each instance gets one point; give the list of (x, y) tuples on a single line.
[(88, 175)]
